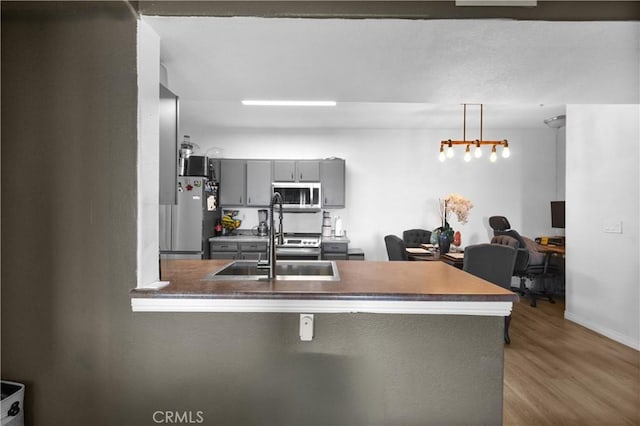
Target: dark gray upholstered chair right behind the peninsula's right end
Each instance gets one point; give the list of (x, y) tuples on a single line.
[(494, 263)]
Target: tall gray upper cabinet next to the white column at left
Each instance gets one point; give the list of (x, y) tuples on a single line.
[(168, 117)]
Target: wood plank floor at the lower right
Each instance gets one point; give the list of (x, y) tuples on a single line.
[(560, 373)]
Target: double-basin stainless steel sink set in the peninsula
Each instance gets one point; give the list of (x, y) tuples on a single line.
[(294, 270)]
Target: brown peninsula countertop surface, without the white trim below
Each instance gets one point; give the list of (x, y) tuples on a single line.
[(366, 280)]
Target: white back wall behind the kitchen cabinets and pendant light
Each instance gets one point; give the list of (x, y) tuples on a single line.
[(394, 179)]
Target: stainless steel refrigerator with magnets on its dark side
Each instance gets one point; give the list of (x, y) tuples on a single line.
[(185, 227)]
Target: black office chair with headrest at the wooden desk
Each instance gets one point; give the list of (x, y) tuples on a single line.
[(530, 264)]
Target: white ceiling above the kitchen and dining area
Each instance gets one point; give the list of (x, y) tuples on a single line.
[(394, 73)]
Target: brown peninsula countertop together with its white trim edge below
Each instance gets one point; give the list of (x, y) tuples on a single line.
[(374, 287)]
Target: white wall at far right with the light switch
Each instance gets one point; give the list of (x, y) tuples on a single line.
[(602, 288)]
